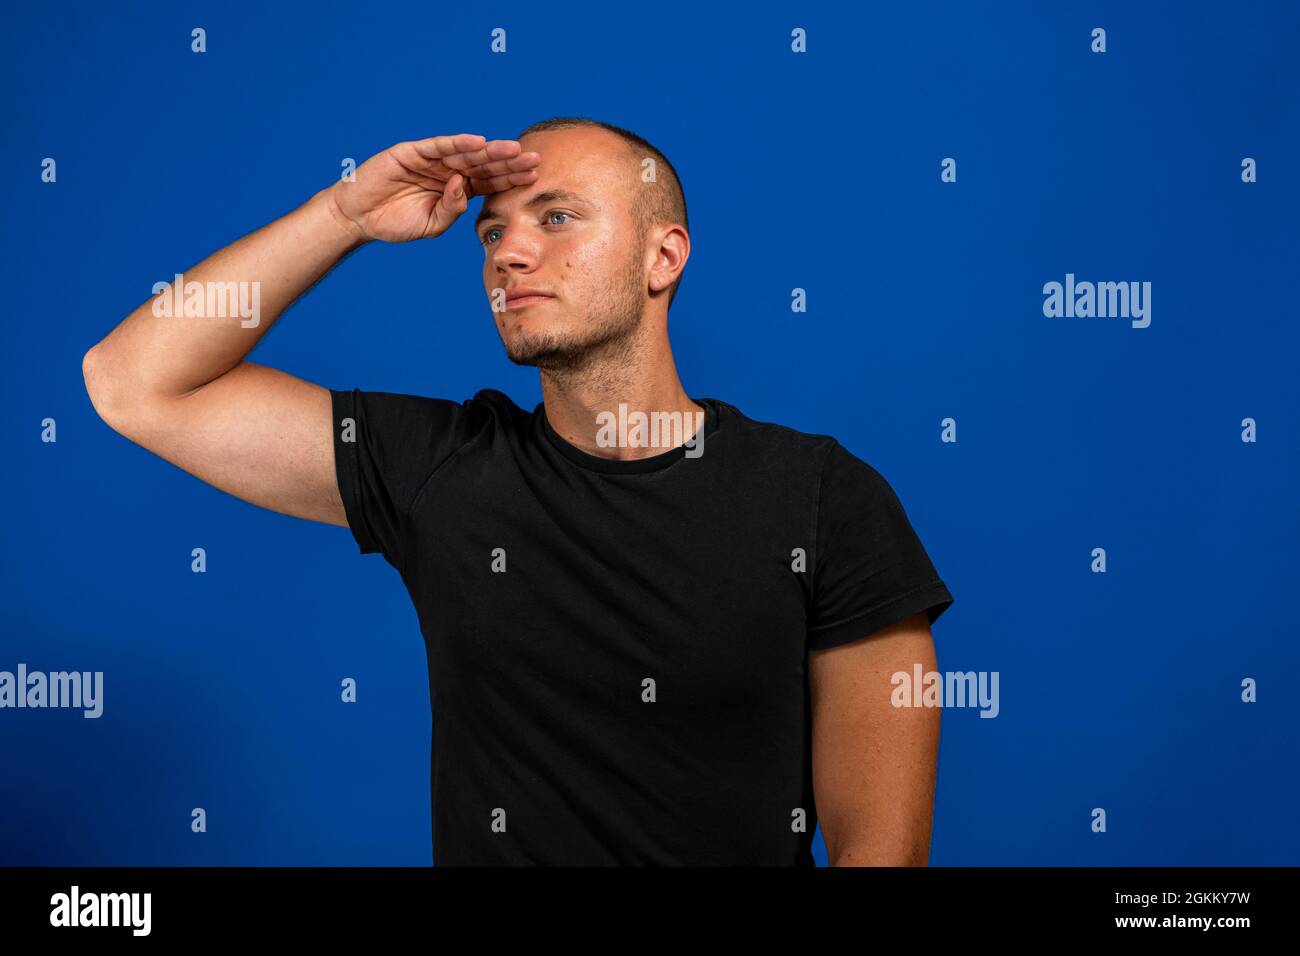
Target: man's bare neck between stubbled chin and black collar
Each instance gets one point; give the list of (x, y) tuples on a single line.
[(642, 378)]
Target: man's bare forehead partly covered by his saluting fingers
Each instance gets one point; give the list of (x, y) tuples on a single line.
[(579, 162)]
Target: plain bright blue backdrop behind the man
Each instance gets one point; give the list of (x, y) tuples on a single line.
[(816, 171)]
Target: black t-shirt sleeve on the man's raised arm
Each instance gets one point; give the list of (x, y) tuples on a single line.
[(387, 447)]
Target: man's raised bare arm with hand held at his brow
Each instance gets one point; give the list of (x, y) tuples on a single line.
[(179, 384)]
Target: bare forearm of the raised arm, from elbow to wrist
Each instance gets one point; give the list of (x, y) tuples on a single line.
[(159, 352)]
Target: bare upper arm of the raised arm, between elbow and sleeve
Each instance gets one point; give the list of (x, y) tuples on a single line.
[(255, 432)]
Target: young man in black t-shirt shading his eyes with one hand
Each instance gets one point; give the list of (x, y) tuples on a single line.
[(657, 630)]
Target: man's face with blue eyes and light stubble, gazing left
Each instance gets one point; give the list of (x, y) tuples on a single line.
[(579, 248)]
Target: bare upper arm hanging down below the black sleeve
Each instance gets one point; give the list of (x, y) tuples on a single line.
[(873, 763)]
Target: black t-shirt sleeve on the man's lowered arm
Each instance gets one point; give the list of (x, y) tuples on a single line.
[(870, 569)]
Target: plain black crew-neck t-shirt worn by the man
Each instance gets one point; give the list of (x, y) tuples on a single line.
[(618, 650)]
